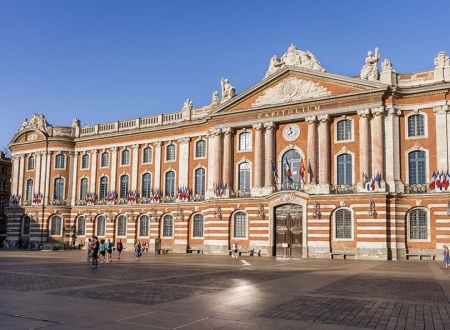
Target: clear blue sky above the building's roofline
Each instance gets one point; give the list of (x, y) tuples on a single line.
[(107, 60)]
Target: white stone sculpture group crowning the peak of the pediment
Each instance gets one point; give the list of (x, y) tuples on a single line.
[(294, 57)]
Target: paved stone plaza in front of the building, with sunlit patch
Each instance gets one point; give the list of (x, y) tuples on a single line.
[(59, 290)]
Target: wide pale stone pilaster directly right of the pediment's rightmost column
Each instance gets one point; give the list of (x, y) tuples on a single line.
[(392, 149)]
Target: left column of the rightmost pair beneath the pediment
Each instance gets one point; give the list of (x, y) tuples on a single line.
[(364, 144)]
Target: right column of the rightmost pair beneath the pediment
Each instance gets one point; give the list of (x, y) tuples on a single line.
[(377, 134)]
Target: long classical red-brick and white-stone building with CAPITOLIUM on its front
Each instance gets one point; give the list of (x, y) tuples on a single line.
[(304, 162)]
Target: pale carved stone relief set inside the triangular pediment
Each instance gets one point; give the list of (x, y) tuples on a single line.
[(290, 90)]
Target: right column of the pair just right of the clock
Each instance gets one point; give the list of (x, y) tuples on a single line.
[(324, 153)]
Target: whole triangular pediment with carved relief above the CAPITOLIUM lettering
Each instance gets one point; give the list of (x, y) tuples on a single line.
[(296, 85)]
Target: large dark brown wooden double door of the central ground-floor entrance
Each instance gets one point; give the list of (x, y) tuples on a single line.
[(288, 230)]
